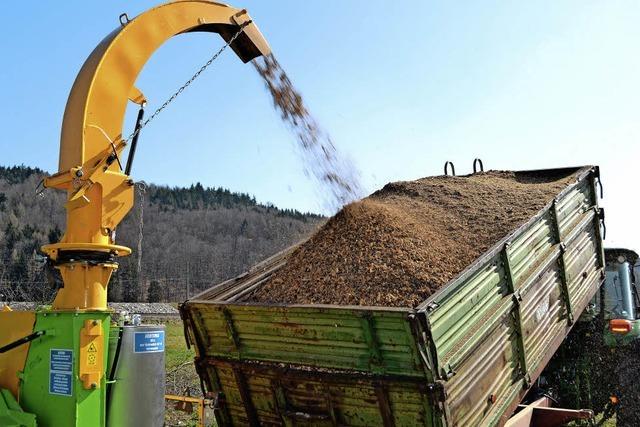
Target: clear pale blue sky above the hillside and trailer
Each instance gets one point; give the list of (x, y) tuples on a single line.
[(401, 87)]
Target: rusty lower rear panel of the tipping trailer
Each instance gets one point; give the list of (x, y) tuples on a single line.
[(265, 394)]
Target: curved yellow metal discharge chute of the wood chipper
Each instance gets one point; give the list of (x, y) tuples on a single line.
[(99, 194)]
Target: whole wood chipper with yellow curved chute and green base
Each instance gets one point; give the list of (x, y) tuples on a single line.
[(68, 365)]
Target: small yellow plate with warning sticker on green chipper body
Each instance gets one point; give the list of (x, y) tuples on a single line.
[(91, 363)]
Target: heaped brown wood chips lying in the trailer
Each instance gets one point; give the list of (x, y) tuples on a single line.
[(404, 242)]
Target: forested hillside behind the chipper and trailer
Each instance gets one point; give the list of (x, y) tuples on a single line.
[(191, 238)]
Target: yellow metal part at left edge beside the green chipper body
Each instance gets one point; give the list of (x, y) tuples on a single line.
[(13, 326)]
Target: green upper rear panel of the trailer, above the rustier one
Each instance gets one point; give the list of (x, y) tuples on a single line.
[(336, 337)]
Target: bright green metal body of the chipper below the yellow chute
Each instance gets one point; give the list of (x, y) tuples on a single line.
[(84, 408)]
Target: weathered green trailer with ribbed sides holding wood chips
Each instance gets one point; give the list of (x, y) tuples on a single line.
[(464, 357)]
